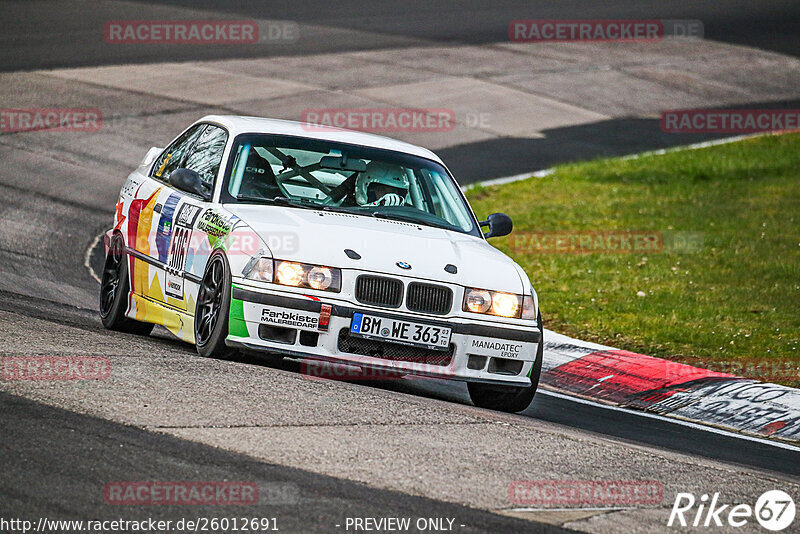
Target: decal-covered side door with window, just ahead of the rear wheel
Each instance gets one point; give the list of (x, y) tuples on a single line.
[(178, 248)]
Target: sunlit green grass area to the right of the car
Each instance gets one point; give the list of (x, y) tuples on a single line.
[(732, 297)]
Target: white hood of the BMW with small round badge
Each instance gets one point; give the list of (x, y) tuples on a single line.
[(320, 237)]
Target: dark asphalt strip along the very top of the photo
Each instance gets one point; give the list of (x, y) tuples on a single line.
[(64, 32)]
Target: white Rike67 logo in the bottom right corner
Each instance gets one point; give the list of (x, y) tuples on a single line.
[(774, 510)]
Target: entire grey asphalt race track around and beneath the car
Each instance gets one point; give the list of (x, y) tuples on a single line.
[(322, 451)]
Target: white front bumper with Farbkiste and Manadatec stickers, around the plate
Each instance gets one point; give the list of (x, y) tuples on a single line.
[(294, 325)]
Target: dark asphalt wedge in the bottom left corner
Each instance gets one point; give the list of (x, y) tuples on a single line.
[(303, 502)]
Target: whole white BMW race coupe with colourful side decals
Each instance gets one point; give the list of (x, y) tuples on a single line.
[(324, 244)]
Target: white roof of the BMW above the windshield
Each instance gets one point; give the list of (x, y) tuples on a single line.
[(237, 124)]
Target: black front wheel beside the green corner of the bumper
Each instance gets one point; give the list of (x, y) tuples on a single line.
[(213, 308)]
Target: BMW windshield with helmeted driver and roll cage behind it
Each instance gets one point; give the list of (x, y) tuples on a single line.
[(317, 174)]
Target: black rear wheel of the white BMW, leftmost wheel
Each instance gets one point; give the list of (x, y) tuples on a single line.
[(114, 290)]
